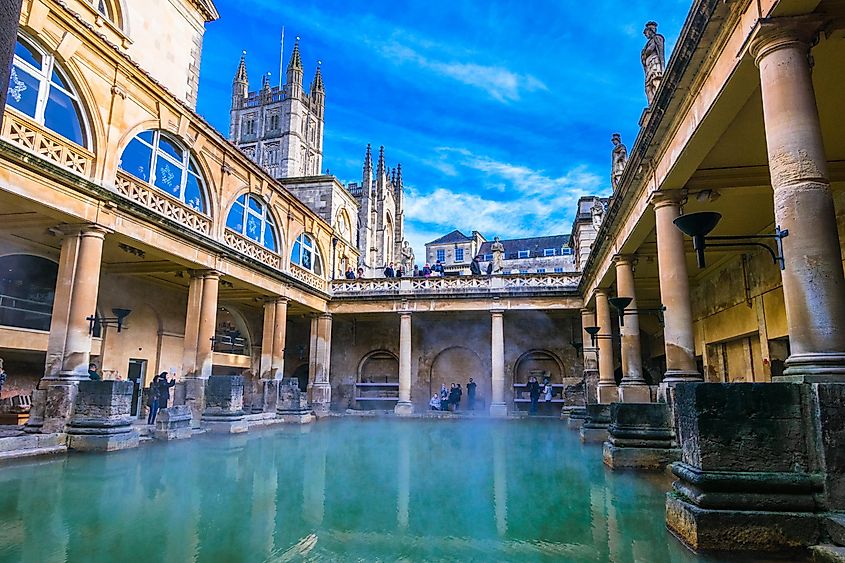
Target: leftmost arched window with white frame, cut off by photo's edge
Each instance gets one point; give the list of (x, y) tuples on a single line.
[(40, 88)]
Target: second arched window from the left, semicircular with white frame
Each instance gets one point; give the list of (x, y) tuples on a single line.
[(160, 160)]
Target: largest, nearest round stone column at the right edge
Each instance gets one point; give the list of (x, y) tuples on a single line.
[(813, 282)]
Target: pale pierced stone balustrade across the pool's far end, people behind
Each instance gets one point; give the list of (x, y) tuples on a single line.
[(565, 284)]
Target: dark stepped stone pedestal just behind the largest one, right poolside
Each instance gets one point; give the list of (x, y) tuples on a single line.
[(641, 436)]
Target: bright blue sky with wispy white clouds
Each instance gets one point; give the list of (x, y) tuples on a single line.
[(500, 112)]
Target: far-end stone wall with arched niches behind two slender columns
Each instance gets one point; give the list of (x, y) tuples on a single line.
[(453, 347)]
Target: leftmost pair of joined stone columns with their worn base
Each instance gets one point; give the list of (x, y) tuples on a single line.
[(69, 342)]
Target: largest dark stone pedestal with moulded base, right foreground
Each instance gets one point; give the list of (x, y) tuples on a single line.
[(749, 478)]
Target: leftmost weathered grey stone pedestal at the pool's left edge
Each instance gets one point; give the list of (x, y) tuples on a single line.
[(101, 418)]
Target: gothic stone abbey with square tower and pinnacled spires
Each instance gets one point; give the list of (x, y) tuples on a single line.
[(281, 129)]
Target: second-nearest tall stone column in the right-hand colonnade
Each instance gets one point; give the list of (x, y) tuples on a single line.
[(674, 292)]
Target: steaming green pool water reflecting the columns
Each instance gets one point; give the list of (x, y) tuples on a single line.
[(340, 490)]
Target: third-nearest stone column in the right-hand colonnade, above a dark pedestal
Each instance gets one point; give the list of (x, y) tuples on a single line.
[(633, 388)]
